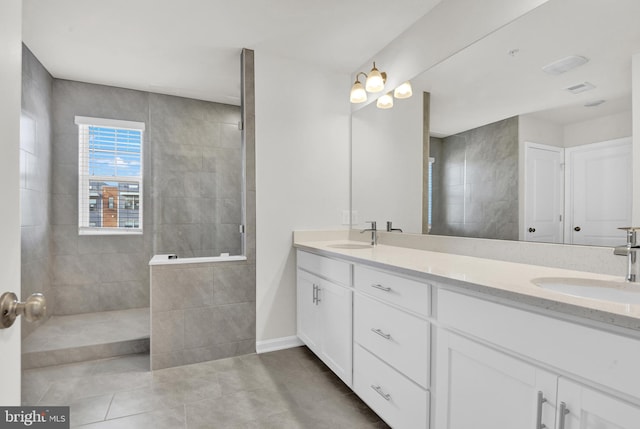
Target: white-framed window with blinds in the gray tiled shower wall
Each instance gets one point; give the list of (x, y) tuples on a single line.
[(110, 176)]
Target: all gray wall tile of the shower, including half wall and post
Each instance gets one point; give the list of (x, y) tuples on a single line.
[(193, 155)]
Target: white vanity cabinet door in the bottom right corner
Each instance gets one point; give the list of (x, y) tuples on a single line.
[(591, 409)]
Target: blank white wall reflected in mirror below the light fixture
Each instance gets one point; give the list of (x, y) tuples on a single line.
[(387, 164)]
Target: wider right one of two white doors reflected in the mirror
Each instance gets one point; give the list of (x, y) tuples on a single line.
[(599, 187)]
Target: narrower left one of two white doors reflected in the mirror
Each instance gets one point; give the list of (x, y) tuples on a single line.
[(544, 193)]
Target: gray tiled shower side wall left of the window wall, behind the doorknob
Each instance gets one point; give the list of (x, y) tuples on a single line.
[(35, 181)]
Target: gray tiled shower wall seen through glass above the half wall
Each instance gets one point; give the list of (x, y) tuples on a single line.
[(197, 176)]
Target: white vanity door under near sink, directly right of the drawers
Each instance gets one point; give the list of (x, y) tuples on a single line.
[(482, 388)]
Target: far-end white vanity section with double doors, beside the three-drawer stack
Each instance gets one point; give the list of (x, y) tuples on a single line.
[(324, 314)]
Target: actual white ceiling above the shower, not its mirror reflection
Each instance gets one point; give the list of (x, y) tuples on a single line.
[(191, 48)]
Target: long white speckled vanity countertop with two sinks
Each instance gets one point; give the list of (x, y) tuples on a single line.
[(497, 278)]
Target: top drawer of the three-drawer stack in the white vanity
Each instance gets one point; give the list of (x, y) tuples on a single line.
[(410, 294)]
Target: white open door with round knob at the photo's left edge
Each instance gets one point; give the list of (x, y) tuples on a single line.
[(10, 104)]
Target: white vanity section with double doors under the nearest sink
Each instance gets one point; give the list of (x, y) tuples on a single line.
[(501, 367)]
